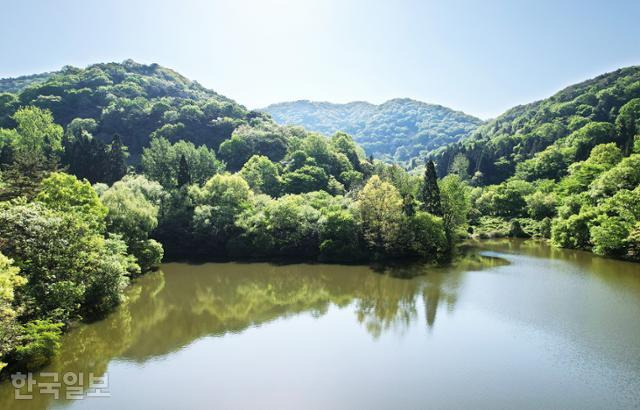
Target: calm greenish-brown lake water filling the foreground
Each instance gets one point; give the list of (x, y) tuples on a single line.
[(513, 325)]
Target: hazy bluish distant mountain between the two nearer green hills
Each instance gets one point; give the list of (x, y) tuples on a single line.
[(397, 130)]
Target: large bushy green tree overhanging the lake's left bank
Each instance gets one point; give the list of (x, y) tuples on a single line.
[(63, 261)]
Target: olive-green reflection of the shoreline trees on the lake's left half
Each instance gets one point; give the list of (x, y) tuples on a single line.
[(166, 311)]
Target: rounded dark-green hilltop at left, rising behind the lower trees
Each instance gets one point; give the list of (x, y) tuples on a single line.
[(132, 100)]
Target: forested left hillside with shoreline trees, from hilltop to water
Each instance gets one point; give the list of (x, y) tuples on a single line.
[(107, 170)]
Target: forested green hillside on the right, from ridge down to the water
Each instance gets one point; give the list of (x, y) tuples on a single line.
[(566, 168)]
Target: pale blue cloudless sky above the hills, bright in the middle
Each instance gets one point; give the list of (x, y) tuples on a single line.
[(481, 57)]
